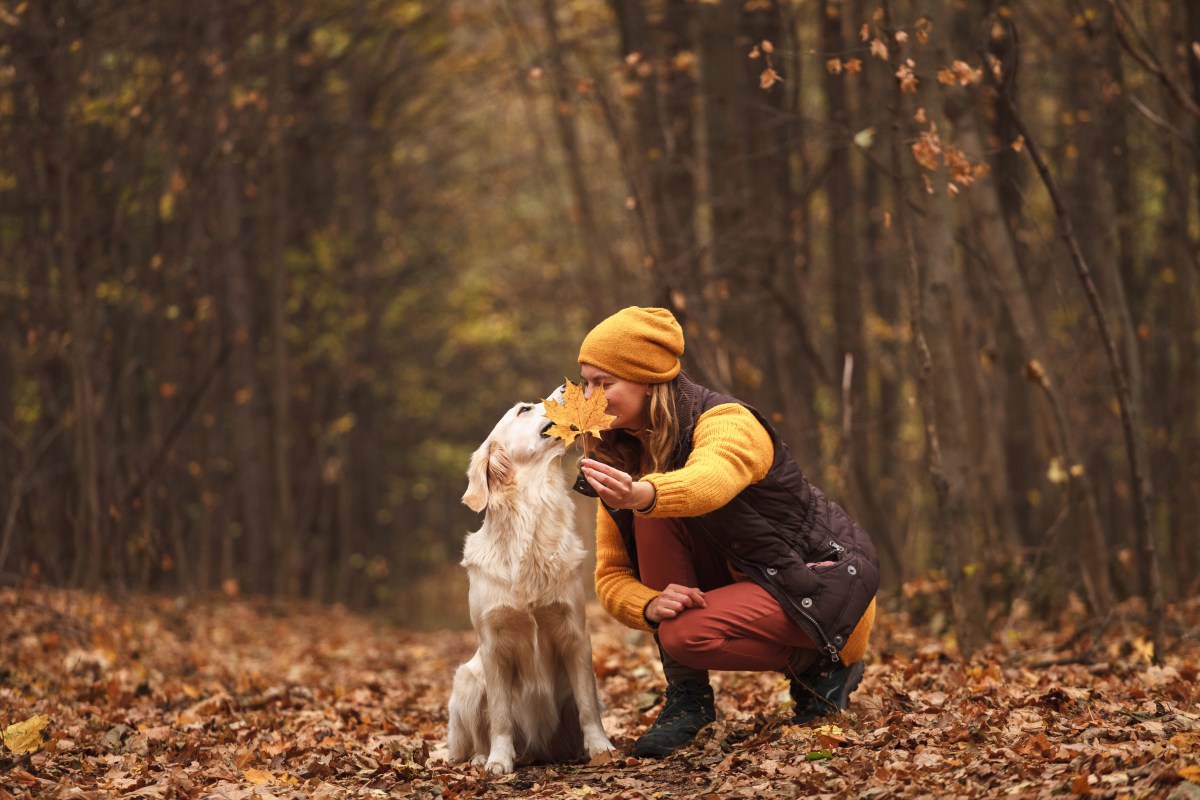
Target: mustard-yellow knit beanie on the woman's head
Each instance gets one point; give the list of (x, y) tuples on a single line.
[(639, 345)]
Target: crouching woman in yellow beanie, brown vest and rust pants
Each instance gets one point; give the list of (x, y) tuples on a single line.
[(710, 537)]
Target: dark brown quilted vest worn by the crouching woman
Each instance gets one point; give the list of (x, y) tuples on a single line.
[(778, 526)]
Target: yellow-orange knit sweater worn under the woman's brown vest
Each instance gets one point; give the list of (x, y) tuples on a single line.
[(731, 450)]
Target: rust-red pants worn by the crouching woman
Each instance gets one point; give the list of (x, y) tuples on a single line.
[(742, 628)]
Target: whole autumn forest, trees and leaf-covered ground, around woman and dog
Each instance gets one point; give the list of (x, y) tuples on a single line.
[(272, 270)]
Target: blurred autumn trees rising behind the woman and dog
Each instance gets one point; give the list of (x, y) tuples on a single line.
[(271, 272)]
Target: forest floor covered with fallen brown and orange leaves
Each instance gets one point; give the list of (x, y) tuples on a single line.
[(149, 697)]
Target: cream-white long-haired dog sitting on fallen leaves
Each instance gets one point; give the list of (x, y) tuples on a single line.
[(530, 690)]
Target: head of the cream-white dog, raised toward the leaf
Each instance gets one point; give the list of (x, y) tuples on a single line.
[(518, 441)]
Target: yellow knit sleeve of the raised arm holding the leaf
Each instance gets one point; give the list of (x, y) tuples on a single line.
[(731, 450)]
